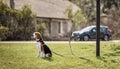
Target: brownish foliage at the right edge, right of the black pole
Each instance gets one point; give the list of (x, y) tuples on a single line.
[(112, 9)]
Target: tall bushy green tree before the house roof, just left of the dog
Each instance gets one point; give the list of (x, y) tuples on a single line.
[(25, 19)]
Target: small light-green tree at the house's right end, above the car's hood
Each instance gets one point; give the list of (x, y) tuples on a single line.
[(75, 17)]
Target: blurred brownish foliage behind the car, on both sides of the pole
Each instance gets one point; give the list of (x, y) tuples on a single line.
[(111, 9)]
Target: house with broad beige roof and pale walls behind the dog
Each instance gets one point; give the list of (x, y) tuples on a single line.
[(50, 12)]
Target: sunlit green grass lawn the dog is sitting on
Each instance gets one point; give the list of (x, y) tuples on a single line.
[(23, 56)]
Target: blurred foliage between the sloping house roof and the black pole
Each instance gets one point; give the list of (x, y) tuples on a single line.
[(87, 7)]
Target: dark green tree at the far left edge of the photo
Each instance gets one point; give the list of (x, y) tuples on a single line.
[(5, 22)]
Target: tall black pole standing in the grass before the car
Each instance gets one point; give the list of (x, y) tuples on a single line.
[(98, 28)]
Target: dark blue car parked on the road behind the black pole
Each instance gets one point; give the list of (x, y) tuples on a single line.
[(89, 32)]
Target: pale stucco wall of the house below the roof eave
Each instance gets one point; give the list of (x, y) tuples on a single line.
[(55, 27)]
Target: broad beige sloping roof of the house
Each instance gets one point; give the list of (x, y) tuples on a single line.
[(47, 8)]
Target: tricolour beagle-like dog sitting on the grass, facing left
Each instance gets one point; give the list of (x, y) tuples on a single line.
[(43, 49)]
